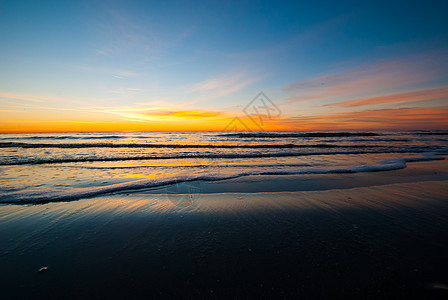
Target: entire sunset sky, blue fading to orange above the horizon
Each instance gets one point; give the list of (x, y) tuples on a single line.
[(81, 66)]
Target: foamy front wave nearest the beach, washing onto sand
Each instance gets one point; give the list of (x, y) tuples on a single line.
[(24, 197)]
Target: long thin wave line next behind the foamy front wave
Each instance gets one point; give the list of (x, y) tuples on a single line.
[(201, 156)]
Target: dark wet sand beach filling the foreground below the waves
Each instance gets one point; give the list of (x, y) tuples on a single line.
[(360, 236)]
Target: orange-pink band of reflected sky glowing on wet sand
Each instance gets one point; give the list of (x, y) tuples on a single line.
[(383, 197)]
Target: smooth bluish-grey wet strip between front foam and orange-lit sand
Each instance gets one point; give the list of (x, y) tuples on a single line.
[(414, 172)]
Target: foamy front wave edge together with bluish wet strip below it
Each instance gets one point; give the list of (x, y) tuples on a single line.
[(419, 170)]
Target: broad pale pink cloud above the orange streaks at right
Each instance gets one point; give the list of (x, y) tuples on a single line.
[(386, 77)]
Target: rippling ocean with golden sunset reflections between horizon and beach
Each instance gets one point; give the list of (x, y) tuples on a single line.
[(38, 168)]
